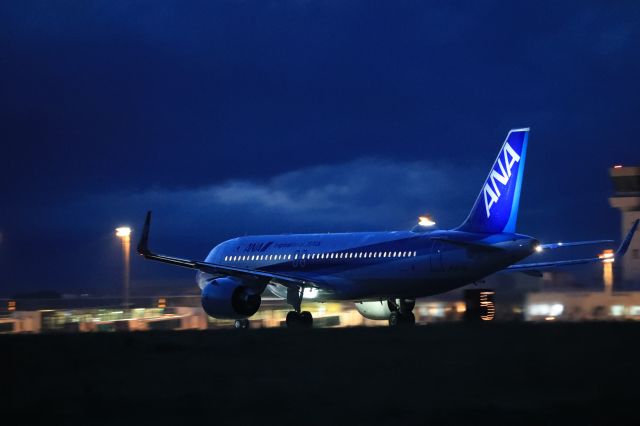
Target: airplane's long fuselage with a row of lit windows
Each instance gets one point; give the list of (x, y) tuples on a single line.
[(374, 265)]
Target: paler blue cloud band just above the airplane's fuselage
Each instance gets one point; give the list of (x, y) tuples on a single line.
[(364, 194)]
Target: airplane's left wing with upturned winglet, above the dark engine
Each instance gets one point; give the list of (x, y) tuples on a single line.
[(212, 268)]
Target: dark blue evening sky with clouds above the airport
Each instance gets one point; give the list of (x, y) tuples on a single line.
[(236, 117)]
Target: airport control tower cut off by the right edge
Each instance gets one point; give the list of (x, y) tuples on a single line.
[(626, 198)]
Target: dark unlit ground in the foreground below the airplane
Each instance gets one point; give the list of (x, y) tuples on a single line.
[(518, 373)]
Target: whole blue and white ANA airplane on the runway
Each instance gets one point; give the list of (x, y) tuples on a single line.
[(383, 273)]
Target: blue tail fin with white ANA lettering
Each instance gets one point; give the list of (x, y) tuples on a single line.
[(496, 208)]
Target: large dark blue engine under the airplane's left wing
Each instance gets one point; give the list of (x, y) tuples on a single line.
[(230, 298)]
